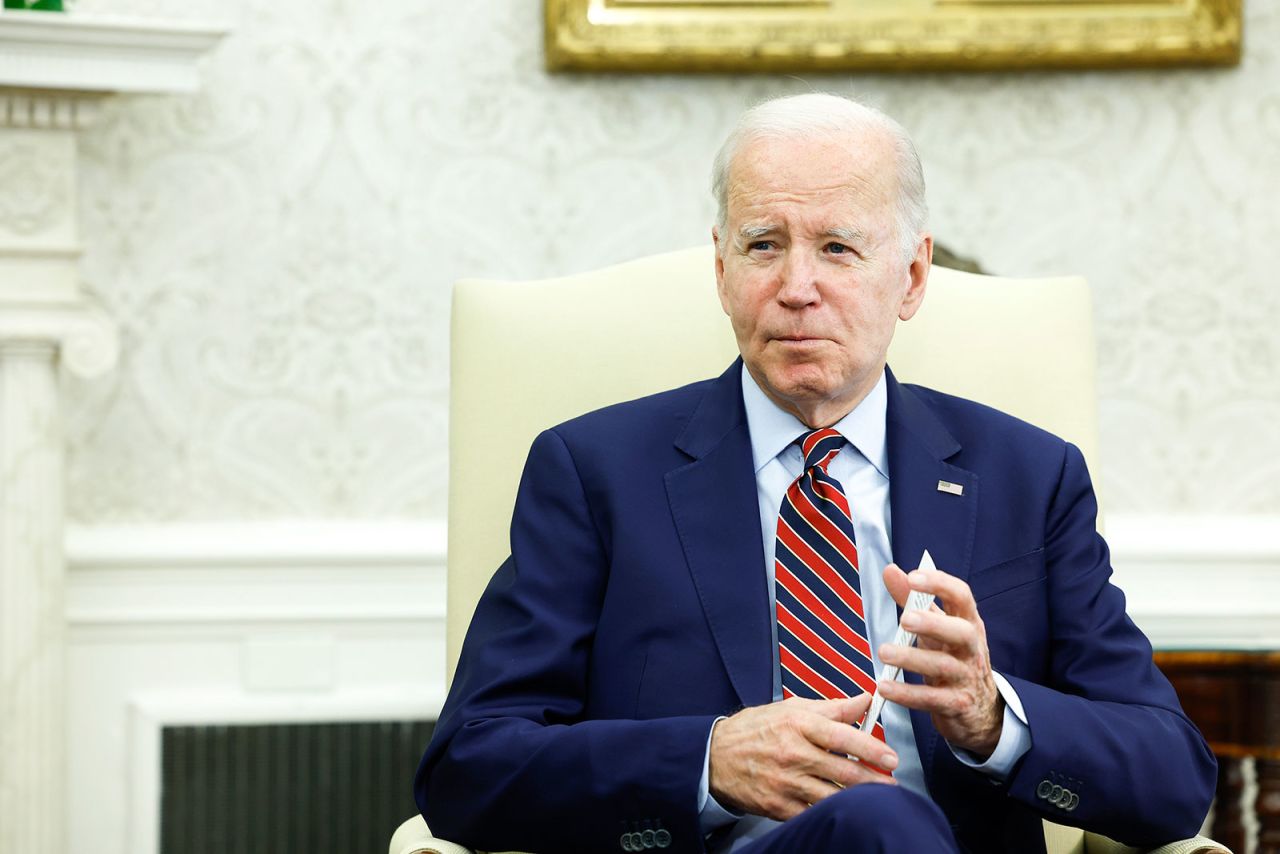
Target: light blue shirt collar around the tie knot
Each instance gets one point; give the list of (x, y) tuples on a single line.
[(774, 430)]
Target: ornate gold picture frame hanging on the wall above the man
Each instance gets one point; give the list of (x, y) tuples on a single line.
[(888, 35)]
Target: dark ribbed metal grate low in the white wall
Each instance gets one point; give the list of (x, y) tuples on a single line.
[(285, 788)]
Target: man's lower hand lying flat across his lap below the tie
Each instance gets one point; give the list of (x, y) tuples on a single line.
[(778, 760)]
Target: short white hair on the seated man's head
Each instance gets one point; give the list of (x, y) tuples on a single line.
[(829, 116)]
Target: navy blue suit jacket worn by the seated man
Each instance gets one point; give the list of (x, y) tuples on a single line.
[(634, 611)]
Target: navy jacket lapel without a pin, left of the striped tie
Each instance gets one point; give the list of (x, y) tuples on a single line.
[(714, 504)]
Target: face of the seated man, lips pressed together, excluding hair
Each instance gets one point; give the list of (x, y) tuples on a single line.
[(811, 271)]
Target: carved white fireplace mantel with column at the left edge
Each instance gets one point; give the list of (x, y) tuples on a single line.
[(54, 72)]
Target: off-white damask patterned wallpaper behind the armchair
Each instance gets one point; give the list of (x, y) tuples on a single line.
[(278, 250)]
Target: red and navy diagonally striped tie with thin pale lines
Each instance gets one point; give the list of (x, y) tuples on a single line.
[(822, 631)]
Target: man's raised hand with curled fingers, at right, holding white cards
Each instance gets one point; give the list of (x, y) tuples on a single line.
[(952, 655)]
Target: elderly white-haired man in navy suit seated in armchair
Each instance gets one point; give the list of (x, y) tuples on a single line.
[(703, 583)]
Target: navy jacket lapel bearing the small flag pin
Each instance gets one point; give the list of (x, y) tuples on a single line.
[(924, 517)]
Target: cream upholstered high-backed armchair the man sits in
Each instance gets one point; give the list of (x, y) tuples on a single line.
[(529, 355)]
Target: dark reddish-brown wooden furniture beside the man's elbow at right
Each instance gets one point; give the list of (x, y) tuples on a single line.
[(1235, 698)]
